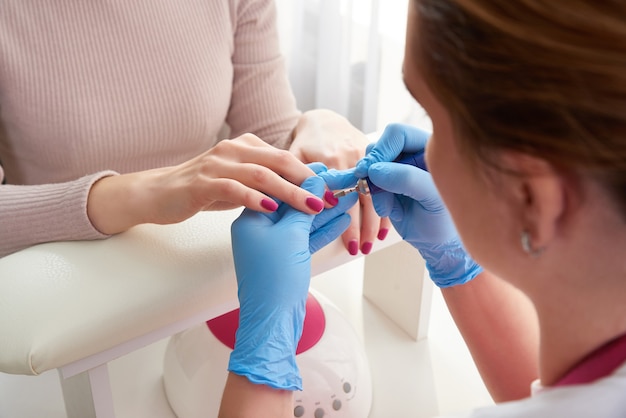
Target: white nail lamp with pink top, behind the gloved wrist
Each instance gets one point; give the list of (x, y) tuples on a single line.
[(335, 373)]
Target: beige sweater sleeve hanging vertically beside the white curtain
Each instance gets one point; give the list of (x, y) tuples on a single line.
[(262, 101)]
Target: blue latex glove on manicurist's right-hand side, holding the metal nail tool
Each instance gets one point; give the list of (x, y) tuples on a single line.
[(413, 205)]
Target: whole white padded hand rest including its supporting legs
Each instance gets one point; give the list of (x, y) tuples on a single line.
[(75, 306)]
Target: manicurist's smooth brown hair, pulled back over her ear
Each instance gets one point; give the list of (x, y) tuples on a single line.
[(543, 77)]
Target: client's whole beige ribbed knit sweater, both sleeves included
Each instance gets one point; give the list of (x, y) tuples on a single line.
[(90, 88)]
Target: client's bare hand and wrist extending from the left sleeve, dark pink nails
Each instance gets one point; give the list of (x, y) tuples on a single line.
[(244, 171)]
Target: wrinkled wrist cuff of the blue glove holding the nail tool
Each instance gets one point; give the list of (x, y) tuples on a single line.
[(449, 264)]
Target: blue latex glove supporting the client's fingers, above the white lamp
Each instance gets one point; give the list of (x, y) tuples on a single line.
[(272, 254)]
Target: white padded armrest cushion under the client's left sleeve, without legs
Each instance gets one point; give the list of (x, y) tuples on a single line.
[(62, 302)]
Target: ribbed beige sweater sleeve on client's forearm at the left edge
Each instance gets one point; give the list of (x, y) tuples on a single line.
[(36, 214)]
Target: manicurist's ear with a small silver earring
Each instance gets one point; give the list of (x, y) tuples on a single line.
[(540, 194)]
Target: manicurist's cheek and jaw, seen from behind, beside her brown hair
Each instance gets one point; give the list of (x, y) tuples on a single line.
[(477, 207)]
